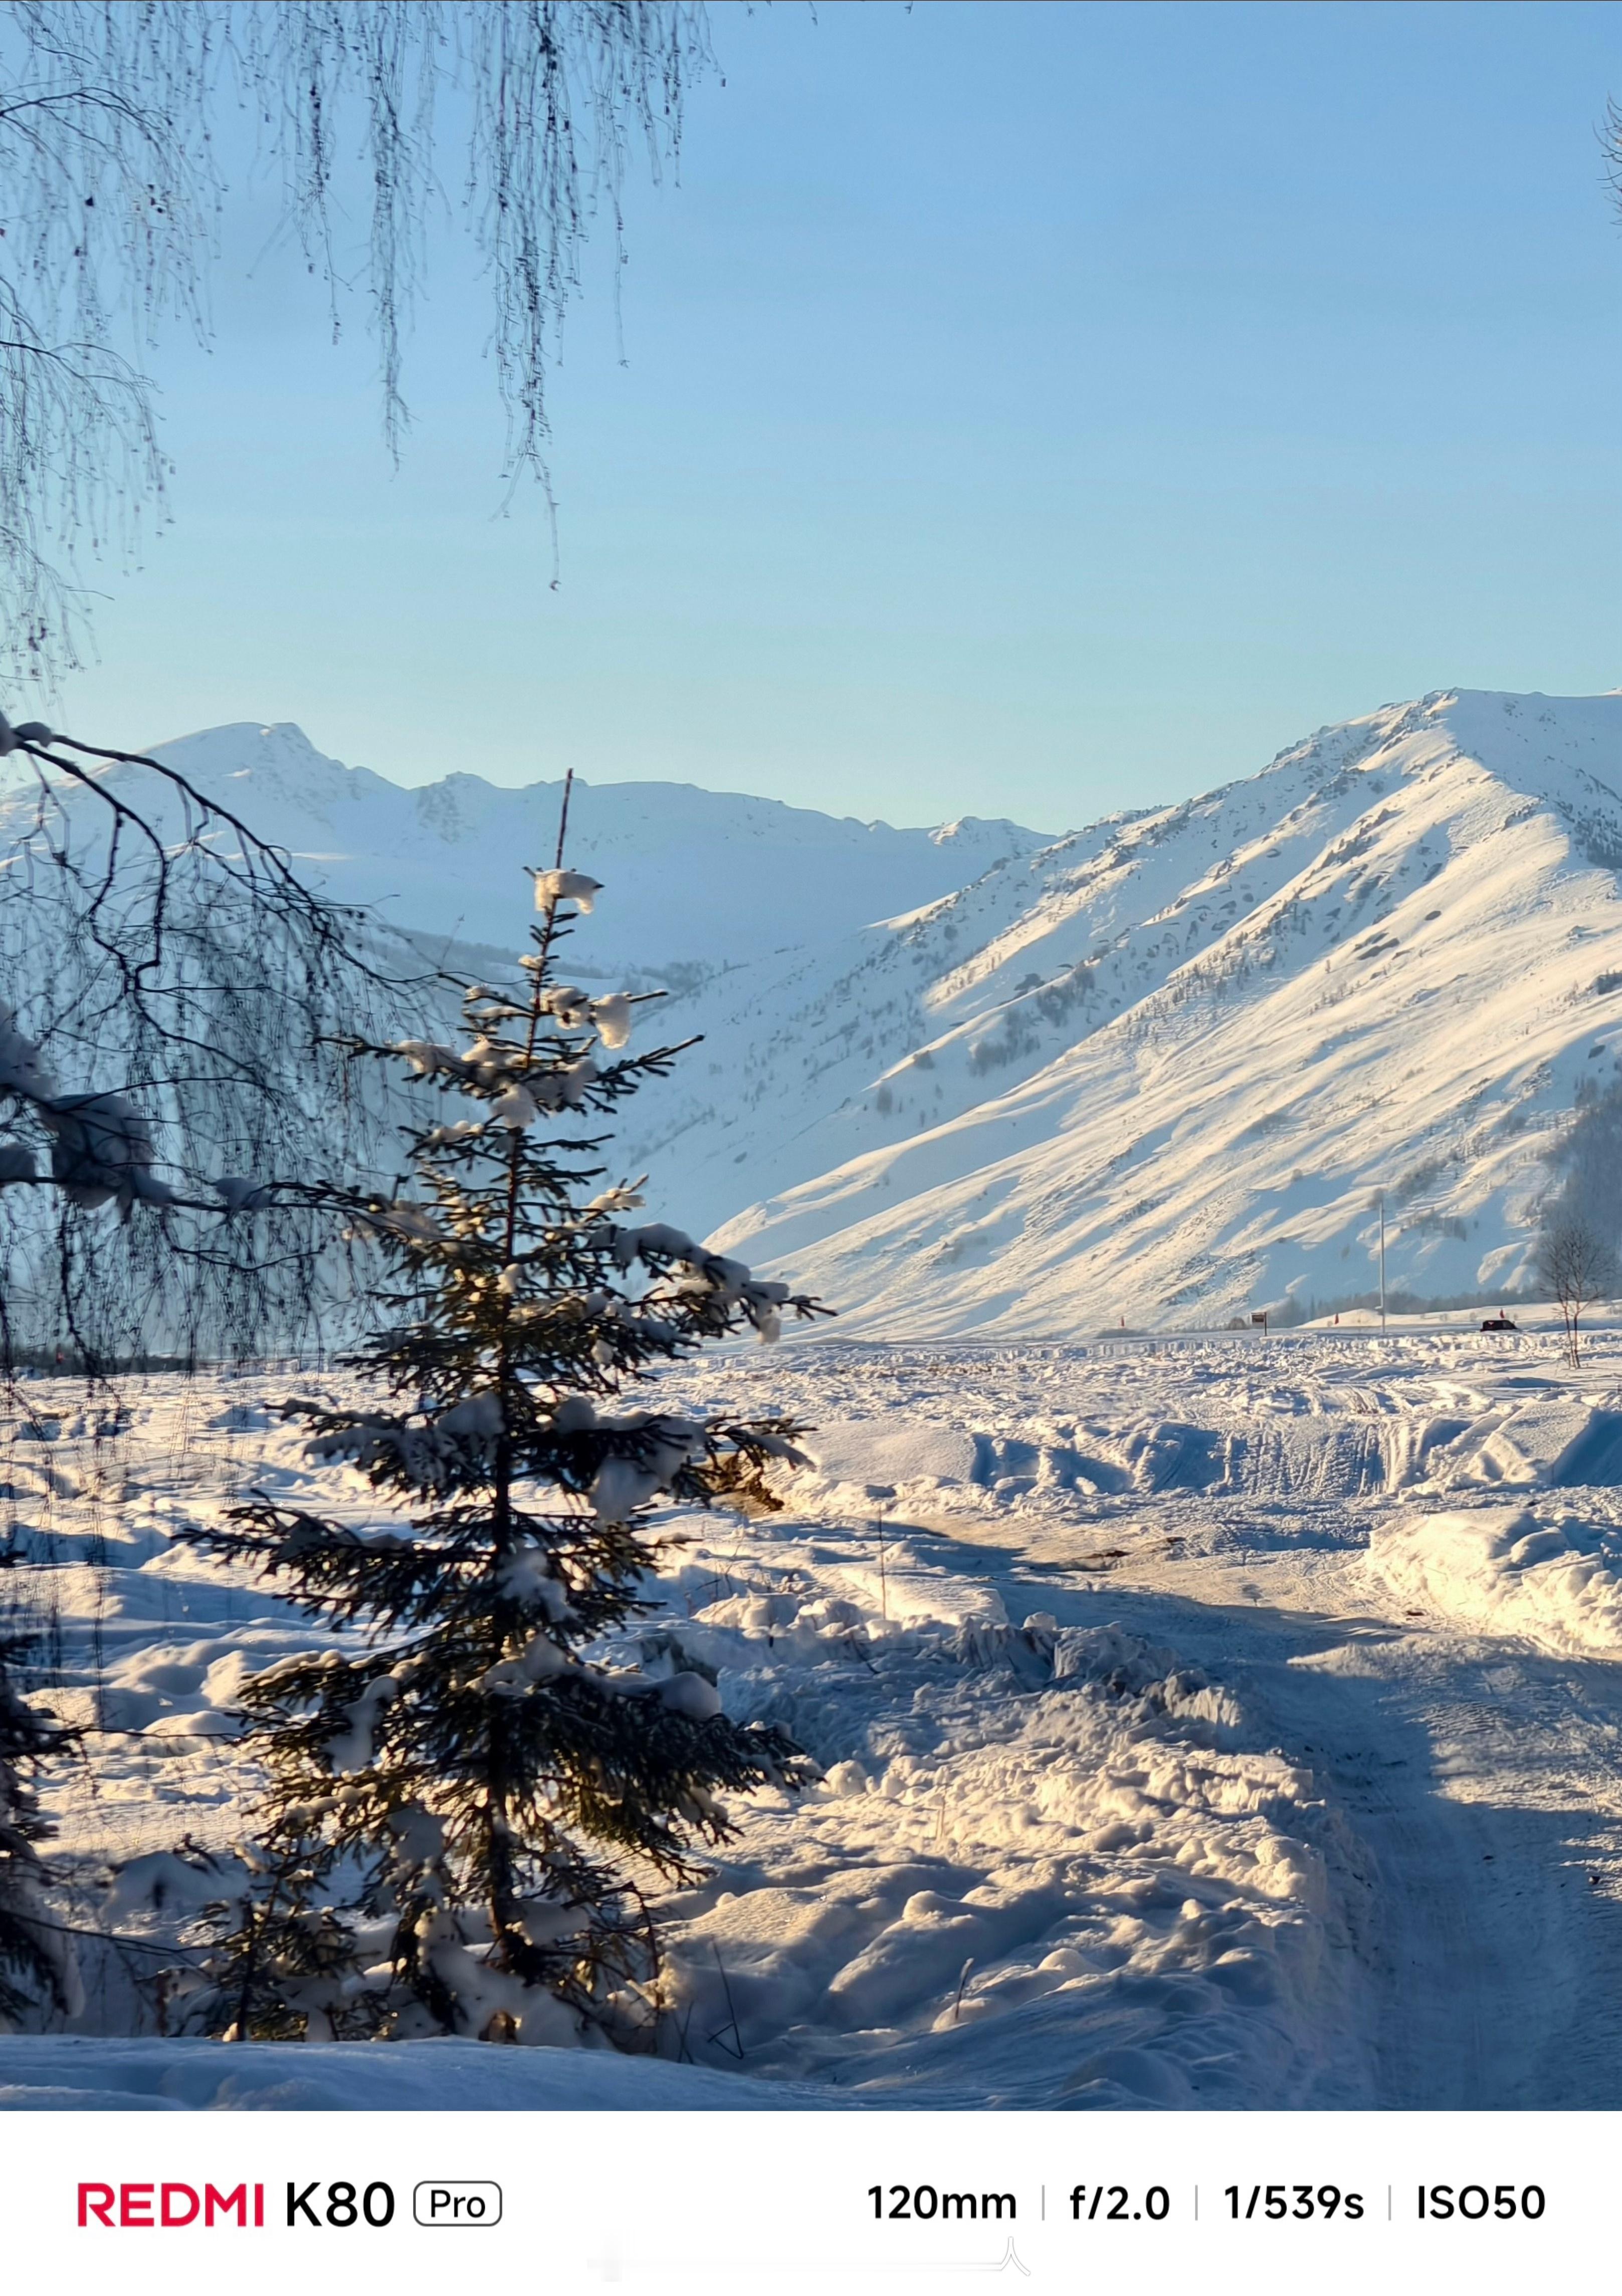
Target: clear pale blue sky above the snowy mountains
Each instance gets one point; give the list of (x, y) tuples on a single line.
[(1030, 410)]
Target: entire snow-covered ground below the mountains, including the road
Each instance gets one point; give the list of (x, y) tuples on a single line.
[(1145, 1689)]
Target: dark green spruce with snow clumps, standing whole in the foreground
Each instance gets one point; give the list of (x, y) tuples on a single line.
[(461, 1801)]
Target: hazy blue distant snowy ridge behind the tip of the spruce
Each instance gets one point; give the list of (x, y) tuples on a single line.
[(695, 881)]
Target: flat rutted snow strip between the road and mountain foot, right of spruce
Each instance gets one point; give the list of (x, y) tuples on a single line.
[(1306, 1418)]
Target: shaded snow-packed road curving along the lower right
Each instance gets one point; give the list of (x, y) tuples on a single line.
[(1483, 1783)]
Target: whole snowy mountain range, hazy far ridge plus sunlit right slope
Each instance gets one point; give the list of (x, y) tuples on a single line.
[(1159, 1071)]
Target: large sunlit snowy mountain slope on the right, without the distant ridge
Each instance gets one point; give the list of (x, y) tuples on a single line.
[(1164, 1071)]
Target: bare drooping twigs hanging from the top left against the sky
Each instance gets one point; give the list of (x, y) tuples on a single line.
[(111, 192)]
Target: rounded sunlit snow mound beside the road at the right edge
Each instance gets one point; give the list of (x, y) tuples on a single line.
[(1550, 1576)]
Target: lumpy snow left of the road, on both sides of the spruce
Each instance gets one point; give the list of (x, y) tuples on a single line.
[(1044, 1865)]
